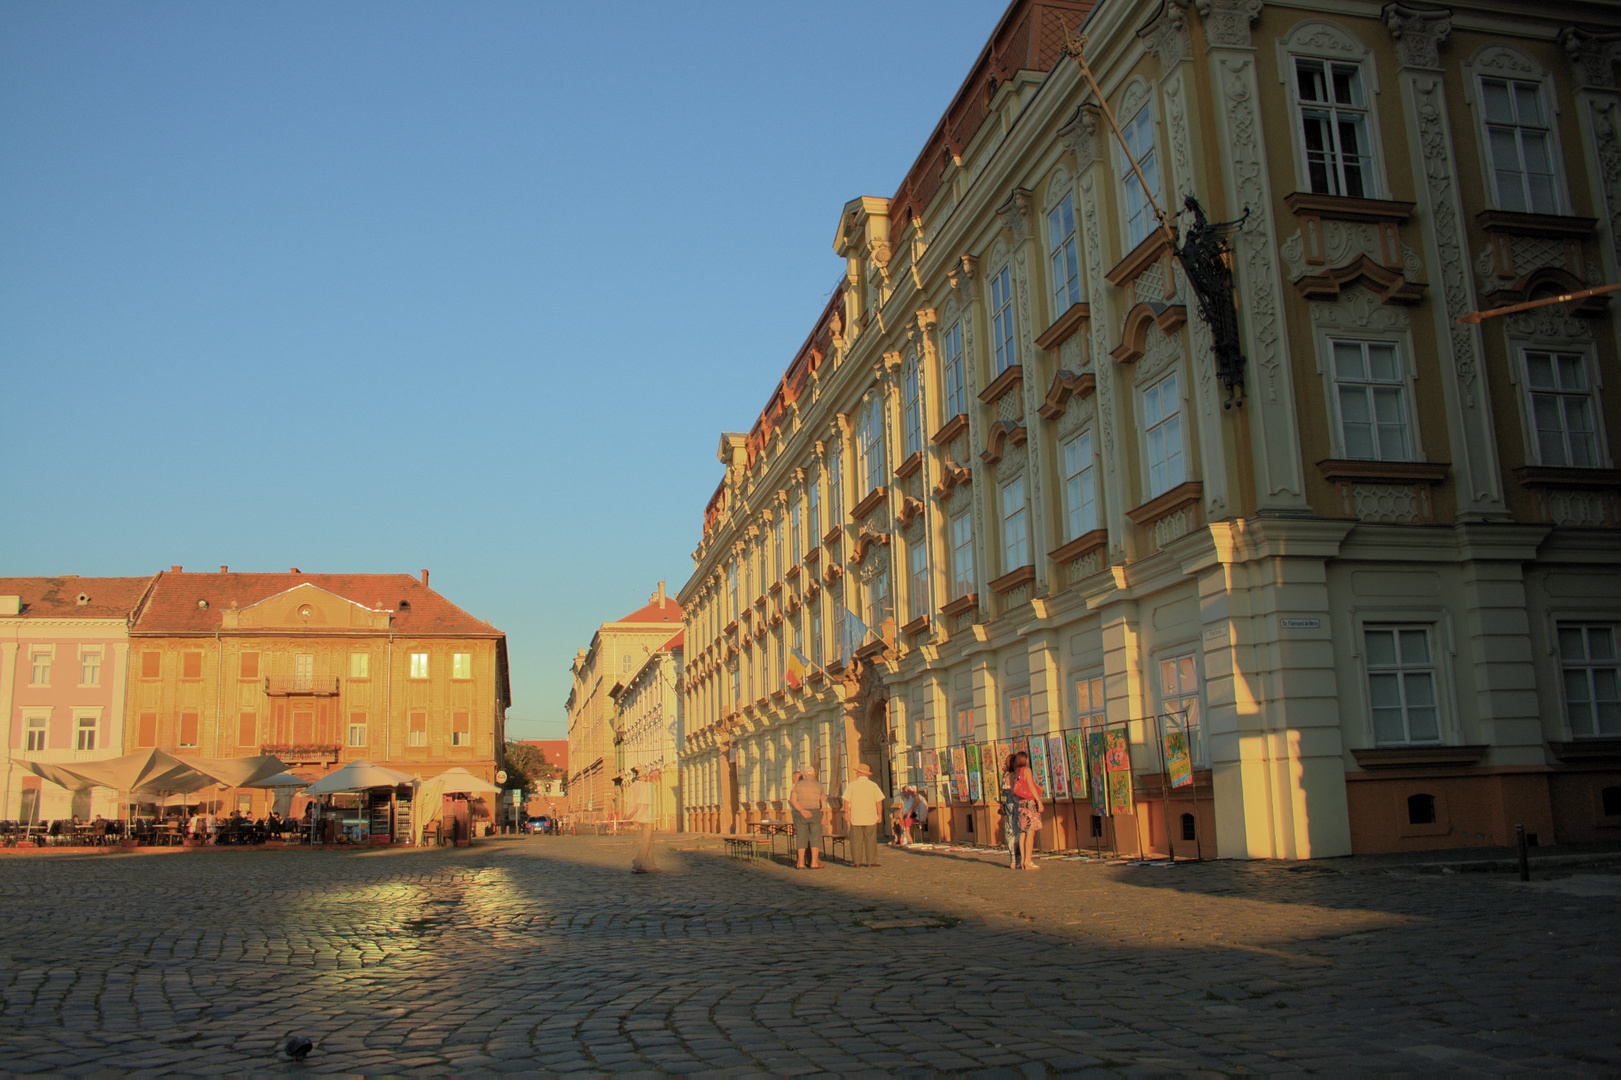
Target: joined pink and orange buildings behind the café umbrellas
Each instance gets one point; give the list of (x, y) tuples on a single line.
[(314, 669)]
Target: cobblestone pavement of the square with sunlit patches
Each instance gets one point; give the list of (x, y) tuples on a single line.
[(545, 956)]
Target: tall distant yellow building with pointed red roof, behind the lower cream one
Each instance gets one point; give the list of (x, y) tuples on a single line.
[(617, 653)]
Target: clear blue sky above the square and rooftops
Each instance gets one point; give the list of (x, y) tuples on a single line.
[(372, 288)]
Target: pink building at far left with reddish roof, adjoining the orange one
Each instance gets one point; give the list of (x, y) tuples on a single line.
[(64, 669)]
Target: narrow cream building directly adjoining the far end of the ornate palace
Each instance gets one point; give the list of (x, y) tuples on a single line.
[(649, 731)]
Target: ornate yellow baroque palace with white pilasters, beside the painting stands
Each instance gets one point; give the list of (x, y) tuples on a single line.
[(1375, 589)]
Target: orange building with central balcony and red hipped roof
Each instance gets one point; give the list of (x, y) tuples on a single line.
[(319, 671)]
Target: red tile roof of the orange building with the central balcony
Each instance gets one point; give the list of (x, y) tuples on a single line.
[(419, 611)]
